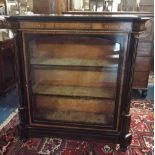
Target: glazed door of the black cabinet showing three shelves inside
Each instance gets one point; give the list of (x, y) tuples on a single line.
[(75, 80)]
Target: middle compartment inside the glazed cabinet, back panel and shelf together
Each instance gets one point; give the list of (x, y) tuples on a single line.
[(74, 82)]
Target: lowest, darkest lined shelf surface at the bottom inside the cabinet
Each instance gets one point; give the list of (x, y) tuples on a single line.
[(72, 116)]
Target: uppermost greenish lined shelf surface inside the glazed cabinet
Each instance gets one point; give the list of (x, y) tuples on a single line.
[(76, 62)]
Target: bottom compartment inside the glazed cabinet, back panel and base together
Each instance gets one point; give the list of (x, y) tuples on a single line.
[(73, 109)]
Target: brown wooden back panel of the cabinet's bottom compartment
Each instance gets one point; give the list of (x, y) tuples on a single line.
[(74, 104)]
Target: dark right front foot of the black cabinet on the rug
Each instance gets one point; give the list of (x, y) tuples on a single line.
[(125, 141)]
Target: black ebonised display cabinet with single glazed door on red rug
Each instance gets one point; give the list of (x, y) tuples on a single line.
[(75, 75)]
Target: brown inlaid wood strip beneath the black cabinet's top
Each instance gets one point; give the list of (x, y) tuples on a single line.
[(77, 25)]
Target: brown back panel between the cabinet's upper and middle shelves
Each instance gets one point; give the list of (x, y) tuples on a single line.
[(83, 78)]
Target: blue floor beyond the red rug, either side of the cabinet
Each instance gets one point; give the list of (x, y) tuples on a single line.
[(9, 102)]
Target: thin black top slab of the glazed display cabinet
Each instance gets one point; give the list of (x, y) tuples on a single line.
[(53, 17)]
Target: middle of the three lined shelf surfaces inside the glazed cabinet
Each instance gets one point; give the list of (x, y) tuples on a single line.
[(74, 91)]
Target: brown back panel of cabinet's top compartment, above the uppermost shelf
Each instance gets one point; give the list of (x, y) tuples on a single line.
[(73, 47)]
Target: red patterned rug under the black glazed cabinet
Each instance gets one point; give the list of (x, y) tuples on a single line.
[(142, 127)]
